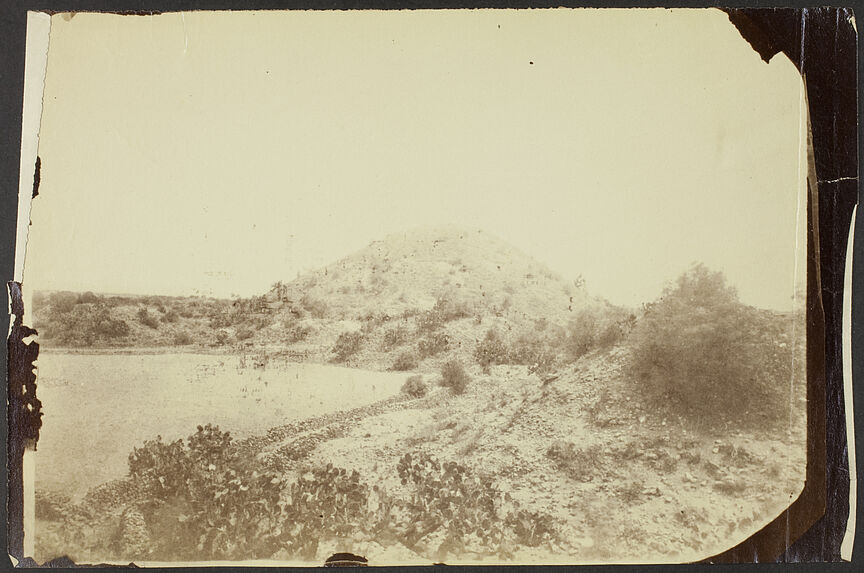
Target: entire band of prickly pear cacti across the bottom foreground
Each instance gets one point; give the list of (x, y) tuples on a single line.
[(208, 499)]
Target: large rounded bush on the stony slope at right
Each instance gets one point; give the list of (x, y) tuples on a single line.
[(700, 352)]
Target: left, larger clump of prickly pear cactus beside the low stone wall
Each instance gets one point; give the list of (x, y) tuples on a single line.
[(209, 502)]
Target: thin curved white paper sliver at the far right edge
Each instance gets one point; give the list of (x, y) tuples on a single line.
[(849, 536)]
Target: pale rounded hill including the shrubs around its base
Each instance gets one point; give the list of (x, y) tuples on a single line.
[(421, 295)]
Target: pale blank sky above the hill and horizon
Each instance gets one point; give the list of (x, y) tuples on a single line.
[(220, 152)]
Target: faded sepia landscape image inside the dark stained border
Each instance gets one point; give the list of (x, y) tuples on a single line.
[(414, 287)]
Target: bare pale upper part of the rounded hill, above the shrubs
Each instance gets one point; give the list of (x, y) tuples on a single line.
[(412, 270)]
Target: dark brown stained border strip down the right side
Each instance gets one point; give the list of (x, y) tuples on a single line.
[(822, 44)]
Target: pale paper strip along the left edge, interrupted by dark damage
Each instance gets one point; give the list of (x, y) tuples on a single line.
[(35, 67)]
